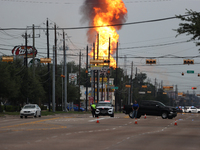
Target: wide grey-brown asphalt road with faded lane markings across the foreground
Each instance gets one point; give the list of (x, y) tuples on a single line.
[(74, 132)]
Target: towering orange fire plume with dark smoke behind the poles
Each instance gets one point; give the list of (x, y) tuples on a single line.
[(104, 14)]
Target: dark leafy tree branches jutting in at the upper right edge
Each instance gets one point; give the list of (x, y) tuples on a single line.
[(191, 25)]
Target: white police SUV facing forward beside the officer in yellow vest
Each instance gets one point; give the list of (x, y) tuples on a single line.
[(104, 108)]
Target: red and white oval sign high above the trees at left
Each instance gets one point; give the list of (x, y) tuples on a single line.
[(21, 51)]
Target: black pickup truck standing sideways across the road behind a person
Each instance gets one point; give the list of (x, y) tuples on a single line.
[(154, 108)]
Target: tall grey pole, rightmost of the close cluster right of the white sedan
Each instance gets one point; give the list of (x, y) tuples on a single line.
[(65, 72)]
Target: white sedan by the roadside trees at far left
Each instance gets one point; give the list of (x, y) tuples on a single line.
[(30, 110)]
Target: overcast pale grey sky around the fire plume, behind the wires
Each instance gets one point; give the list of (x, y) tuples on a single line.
[(135, 40)]
